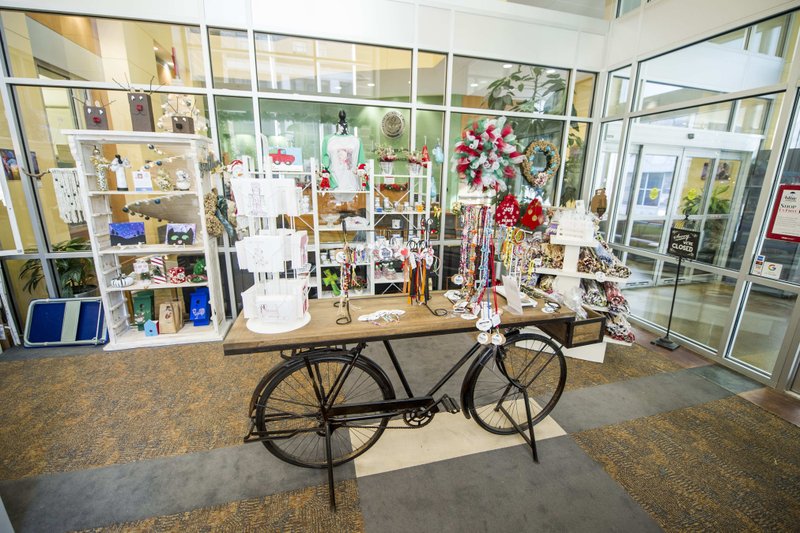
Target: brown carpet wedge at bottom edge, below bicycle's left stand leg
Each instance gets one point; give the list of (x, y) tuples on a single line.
[(298, 510)]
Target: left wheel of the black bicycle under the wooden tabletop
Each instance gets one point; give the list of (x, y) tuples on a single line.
[(289, 407)]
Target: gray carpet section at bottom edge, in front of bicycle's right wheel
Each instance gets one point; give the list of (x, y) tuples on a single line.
[(502, 490)]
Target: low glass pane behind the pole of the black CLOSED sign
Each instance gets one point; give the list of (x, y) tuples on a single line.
[(701, 303)]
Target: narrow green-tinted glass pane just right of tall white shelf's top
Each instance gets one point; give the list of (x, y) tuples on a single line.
[(235, 127)]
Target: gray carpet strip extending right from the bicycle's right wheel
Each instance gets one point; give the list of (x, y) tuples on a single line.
[(613, 403)]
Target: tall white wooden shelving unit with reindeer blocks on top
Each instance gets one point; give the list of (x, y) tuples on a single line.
[(196, 150)]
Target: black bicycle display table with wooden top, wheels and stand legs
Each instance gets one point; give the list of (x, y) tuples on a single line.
[(326, 404)]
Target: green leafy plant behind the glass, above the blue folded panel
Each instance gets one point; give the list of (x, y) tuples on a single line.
[(75, 274)]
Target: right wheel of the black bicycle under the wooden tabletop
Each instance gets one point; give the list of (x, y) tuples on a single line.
[(532, 361)]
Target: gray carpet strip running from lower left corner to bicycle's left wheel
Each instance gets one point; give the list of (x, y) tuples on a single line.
[(101, 496)]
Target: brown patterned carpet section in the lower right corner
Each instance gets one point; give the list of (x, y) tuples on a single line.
[(726, 465)]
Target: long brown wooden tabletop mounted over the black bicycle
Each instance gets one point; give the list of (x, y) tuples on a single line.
[(417, 321)]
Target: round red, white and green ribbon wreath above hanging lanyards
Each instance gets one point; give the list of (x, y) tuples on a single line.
[(486, 153)]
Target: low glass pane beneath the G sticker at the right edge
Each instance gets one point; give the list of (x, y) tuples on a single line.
[(762, 326)]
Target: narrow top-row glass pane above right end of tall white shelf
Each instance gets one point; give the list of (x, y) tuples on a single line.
[(230, 59)]
